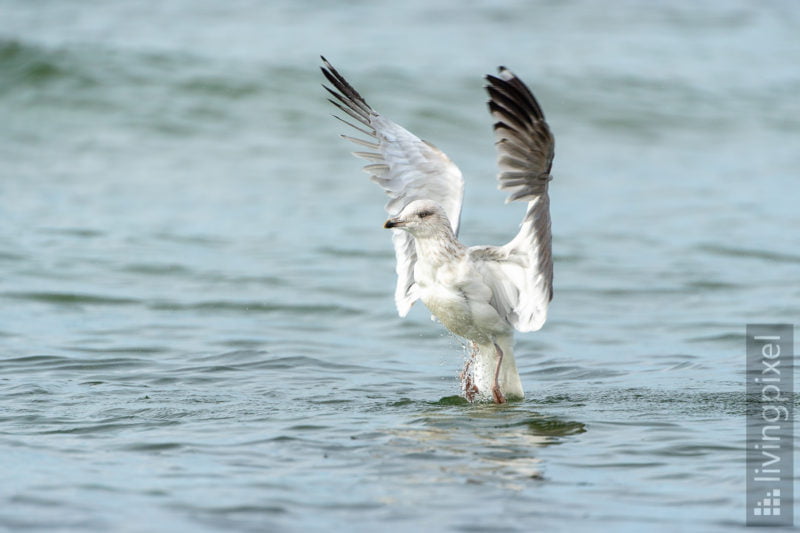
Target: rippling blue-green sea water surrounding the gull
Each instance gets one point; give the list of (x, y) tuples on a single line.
[(197, 329)]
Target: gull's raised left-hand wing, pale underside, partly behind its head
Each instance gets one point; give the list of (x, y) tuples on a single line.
[(407, 168)]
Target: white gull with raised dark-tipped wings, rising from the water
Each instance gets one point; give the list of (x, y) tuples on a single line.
[(480, 293)]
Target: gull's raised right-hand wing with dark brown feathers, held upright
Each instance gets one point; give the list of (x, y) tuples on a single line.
[(520, 274)]
